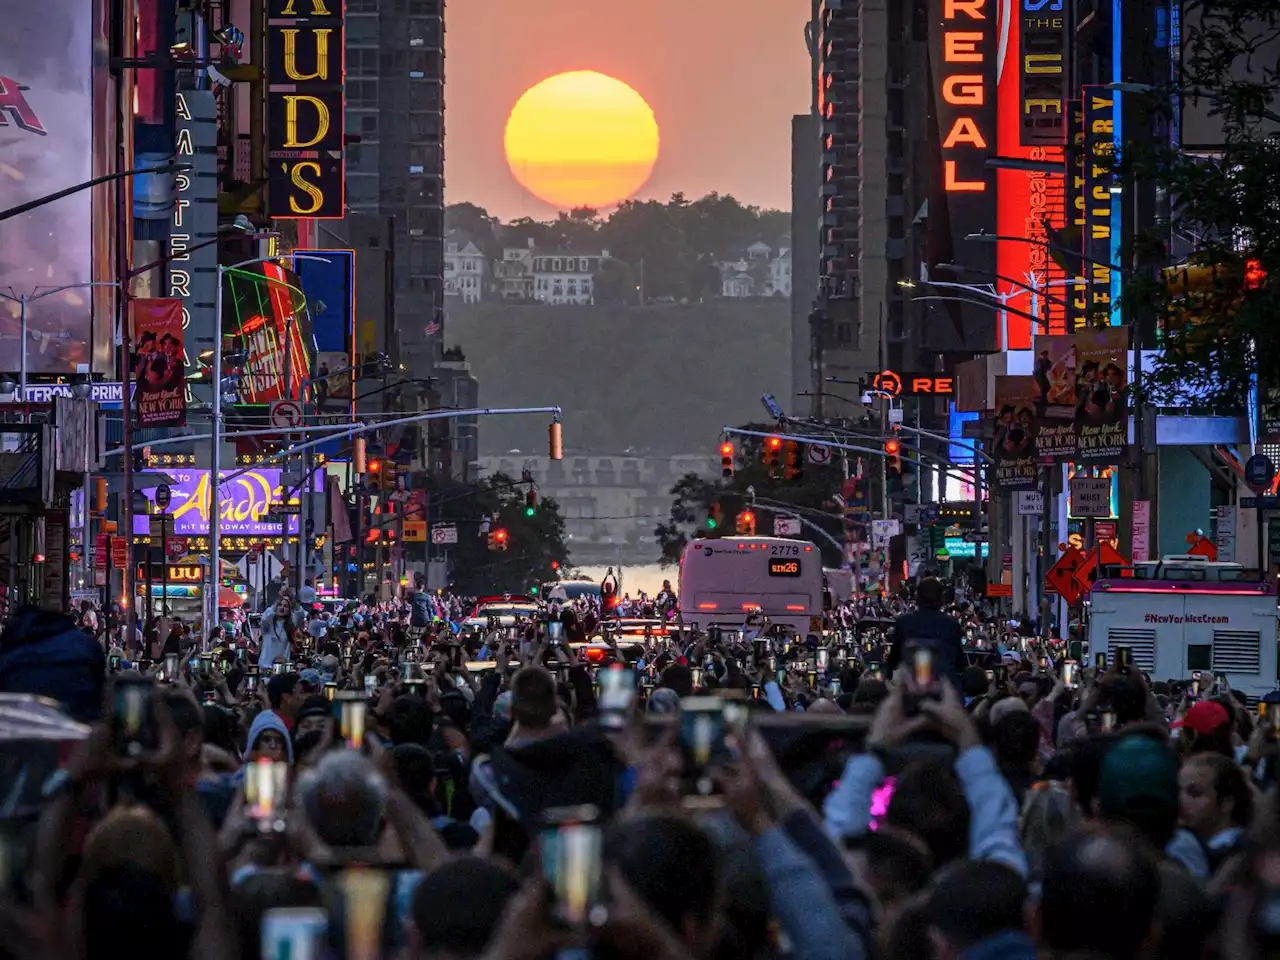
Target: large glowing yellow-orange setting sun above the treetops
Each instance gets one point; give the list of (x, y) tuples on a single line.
[(582, 140)]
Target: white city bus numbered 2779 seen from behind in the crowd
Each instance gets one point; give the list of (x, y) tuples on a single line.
[(724, 580)]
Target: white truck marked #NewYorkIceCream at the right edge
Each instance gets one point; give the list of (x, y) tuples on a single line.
[(1185, 614)]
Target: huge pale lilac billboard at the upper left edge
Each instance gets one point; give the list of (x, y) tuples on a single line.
[(47, 145)]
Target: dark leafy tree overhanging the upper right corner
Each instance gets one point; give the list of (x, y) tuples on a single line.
[(1224, 214)]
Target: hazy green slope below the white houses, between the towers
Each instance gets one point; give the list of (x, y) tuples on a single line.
[(661, 381)]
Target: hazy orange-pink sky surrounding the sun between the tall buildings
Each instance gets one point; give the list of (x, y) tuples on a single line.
[(724, 81)]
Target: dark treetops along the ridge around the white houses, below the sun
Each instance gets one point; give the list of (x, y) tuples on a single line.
[(676, 244)]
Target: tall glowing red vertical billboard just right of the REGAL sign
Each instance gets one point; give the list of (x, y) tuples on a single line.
[(1031, 95)]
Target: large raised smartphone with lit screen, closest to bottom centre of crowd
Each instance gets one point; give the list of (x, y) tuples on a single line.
[(570, 857)]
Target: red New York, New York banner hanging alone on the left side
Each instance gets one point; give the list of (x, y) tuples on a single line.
[(158, 363)]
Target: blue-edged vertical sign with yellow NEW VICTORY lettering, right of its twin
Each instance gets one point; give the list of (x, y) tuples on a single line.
[(1099, 199)]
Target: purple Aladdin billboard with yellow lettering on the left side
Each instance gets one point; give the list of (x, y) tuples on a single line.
[(245, 502)]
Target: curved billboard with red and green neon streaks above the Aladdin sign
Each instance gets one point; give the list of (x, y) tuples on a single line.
[(268, 318)]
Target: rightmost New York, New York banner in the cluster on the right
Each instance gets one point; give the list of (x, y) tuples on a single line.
[(1103, 395)]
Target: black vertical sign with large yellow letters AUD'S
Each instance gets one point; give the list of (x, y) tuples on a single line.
[(305, 109)]
